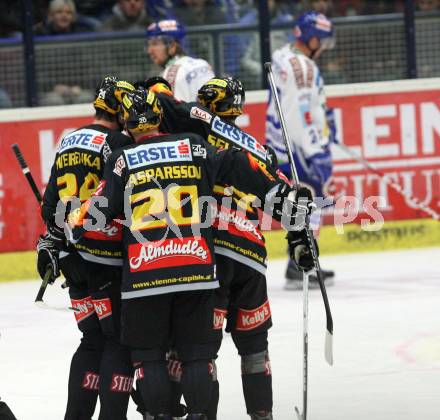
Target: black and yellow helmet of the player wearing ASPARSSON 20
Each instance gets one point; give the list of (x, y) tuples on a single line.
[(141, 111)]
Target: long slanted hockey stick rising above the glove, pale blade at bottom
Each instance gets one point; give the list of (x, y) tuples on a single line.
[(329, 318)]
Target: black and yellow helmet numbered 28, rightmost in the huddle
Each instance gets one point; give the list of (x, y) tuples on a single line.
[(224, 96)]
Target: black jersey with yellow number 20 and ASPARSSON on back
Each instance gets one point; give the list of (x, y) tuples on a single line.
[(164, 186)]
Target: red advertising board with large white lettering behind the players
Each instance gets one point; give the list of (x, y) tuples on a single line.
[(395, 125)]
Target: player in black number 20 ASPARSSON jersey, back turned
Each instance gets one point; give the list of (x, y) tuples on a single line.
[(163, 183)]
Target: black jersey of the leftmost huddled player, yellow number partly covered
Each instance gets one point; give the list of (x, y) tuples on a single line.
[(77, 172)]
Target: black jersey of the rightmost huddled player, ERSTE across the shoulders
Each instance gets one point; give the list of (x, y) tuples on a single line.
[(238, 234)]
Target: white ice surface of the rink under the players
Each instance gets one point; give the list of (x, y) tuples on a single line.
[(386, 345)]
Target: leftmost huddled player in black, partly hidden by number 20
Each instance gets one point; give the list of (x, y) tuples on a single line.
[(100, 365)]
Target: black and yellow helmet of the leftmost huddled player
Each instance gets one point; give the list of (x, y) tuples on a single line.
[(109, 93)]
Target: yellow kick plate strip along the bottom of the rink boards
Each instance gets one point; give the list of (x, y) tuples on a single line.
[(393, 235)]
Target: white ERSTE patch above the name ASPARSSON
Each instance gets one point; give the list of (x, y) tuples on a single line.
[(151, 154)]
